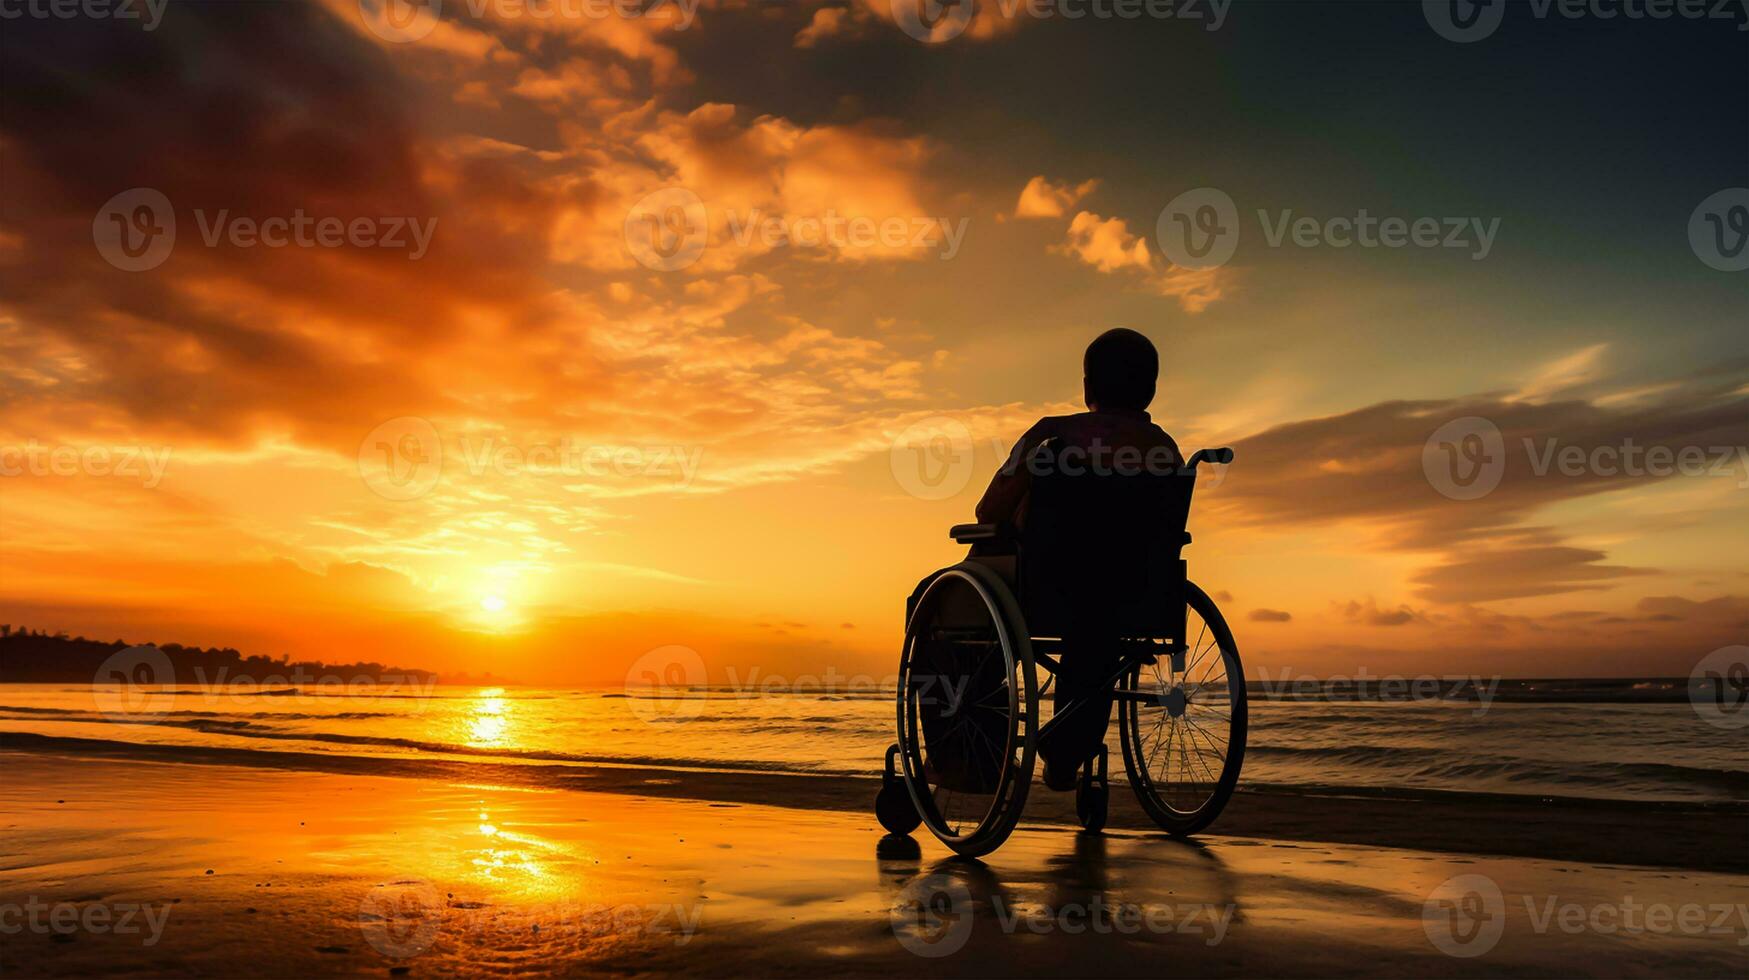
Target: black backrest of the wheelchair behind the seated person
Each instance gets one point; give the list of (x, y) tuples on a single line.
[(1101, 549)]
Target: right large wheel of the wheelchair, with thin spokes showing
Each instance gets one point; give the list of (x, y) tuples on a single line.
[(1183, 724)]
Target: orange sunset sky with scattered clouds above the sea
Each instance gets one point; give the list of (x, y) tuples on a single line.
[(783, 375)]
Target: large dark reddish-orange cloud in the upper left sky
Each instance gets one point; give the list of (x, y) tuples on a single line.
[(256, 111)]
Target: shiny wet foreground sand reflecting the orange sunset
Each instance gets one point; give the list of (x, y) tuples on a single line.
[(230, 871)]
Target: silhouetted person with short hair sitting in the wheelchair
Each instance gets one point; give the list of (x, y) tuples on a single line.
[(1120, 372)]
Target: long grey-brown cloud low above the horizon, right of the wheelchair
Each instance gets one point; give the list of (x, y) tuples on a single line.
[(1369, 466)]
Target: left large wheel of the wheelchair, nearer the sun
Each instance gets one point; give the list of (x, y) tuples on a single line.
[(970, 822)]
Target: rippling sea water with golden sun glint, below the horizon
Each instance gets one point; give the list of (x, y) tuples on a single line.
[(1523, 743)]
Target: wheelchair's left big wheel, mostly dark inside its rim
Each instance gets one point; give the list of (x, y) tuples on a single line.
[(968, 710)]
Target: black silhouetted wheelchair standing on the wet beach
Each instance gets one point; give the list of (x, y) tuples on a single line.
[(1099, 557)]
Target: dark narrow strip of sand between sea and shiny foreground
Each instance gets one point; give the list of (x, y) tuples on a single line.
[(1669, 836)]
